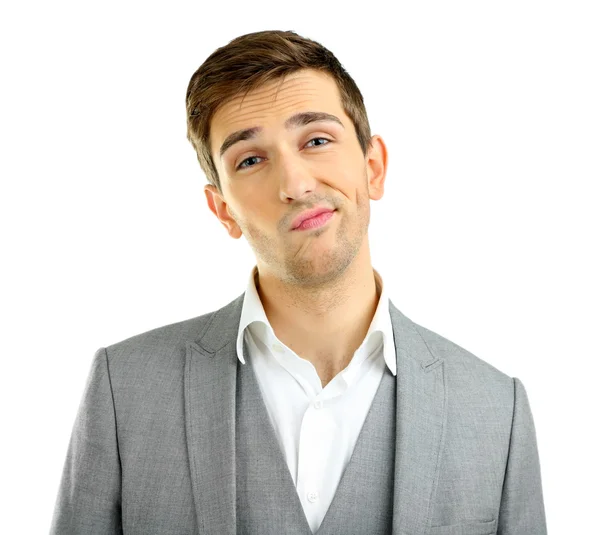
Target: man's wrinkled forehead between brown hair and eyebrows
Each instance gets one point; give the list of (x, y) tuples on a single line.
[(272, 103)]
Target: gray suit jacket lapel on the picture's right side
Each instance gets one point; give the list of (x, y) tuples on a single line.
[(420, 426)]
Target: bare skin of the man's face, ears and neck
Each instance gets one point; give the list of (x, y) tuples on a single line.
[(317, 286)]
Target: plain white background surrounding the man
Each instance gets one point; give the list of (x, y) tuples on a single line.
[(487, 233)]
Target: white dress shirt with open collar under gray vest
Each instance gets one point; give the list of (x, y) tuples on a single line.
[(317, 428)]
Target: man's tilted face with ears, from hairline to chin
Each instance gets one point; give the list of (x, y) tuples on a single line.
[(280, 170)]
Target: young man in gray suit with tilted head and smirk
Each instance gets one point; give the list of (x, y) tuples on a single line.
[(310, 403)]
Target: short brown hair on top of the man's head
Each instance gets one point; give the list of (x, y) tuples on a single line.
[(254, 59)]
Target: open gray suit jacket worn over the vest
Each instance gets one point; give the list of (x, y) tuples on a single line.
[(152, 448)]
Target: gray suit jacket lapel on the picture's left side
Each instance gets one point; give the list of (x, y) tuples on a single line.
[(209, 389)]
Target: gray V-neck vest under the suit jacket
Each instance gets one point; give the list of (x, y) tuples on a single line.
[(267, 500)]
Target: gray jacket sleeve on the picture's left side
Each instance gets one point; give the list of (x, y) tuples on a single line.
[(89, 496)]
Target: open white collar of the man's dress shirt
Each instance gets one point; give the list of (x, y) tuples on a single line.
[(253, 311)]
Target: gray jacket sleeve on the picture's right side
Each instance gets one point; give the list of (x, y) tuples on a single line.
[(522, 505)]
